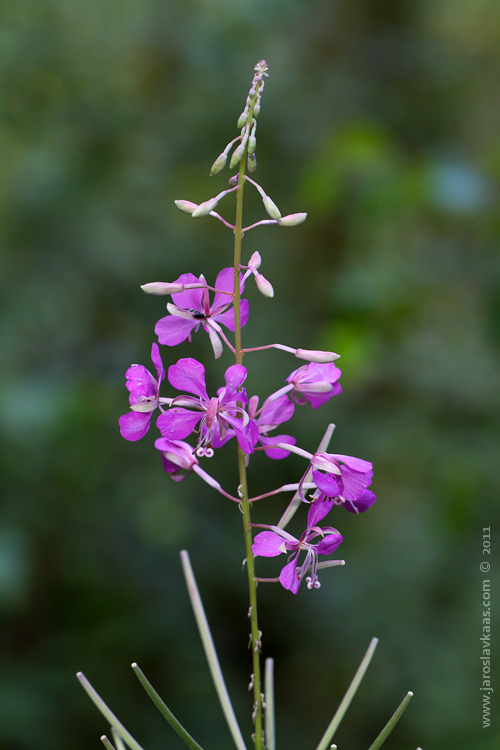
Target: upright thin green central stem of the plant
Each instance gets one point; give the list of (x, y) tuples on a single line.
[(255, 639)]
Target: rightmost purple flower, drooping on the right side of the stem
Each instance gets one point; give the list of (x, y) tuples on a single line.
[(344, 483)]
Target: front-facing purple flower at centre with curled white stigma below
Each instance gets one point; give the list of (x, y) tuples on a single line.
[(215, 415)]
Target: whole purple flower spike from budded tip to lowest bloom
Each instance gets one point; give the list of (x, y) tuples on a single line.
[(330, 479)]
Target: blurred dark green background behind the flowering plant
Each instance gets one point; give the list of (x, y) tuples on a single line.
[(381, 120)]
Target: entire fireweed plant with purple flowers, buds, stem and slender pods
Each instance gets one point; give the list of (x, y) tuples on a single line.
[(210, 421)]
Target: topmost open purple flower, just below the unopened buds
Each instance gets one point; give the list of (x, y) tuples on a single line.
[(192, 308)]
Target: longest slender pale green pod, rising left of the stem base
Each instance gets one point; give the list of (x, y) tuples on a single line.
[(210, 652)]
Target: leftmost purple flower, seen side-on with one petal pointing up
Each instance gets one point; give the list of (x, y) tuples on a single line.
[(144, 397)]
